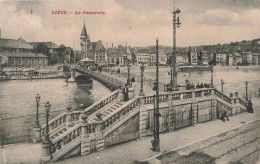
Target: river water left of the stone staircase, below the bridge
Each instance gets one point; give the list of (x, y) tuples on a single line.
[(17, 103)]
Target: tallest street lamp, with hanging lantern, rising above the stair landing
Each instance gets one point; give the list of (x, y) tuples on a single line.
[(173, 82)]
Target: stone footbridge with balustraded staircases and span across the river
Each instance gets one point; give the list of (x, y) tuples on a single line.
[(111, 120)]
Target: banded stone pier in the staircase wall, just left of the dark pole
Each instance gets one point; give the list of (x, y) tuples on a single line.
[(143, 122)]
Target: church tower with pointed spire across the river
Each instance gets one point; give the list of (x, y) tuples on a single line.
[(84, 41)]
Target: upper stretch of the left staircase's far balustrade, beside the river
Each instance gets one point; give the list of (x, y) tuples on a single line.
[(102, 102)]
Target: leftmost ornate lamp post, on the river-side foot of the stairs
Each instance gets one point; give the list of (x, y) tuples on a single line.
[(37, 128)]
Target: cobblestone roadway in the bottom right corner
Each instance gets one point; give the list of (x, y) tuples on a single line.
[(240, 145)]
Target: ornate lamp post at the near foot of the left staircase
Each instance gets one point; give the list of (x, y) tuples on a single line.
[(47, 144)]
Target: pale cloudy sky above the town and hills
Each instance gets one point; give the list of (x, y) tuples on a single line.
[(133, 22)]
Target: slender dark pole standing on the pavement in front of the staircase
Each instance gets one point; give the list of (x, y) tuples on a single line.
[(156, 140)]
